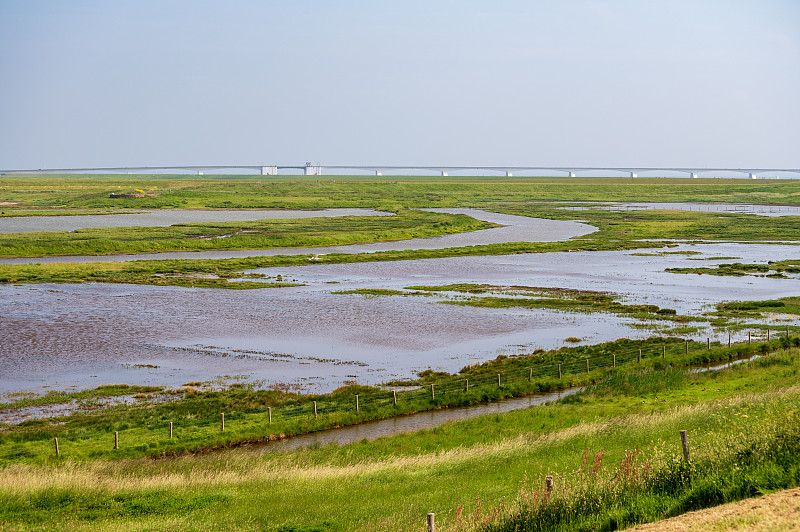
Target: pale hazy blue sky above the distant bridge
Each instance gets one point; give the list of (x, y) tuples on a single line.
[(92, 83)]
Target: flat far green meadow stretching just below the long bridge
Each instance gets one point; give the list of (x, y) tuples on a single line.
[(303, 192)]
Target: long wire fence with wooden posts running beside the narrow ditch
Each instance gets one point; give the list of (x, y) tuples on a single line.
[(188, 431)]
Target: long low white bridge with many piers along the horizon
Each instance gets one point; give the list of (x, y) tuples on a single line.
[(312, 169)]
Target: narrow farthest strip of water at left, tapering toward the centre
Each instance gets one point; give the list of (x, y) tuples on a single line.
[(163, 218)]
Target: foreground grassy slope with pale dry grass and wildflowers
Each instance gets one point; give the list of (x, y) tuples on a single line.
[(613, 450)]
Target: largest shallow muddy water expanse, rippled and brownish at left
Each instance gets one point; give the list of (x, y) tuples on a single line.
[(309, 338)]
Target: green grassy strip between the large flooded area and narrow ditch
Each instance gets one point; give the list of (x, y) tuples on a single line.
[(260, 415)]
